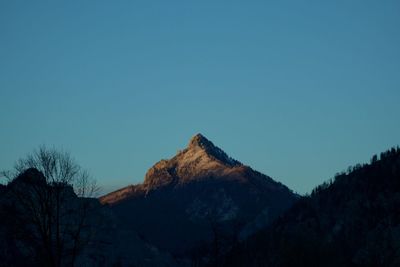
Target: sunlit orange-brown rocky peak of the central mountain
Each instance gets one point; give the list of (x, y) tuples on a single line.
[(201, 161)]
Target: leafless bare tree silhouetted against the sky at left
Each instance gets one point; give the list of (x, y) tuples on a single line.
[(51, 195)]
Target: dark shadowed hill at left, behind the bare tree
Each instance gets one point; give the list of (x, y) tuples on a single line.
[(80, 232)]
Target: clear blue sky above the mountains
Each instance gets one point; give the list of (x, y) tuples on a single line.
[(298, 90)]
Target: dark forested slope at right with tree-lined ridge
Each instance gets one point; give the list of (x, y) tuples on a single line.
[(352, 220)]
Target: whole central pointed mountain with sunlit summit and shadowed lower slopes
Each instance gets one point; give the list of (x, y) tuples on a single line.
[(199, 196)]
